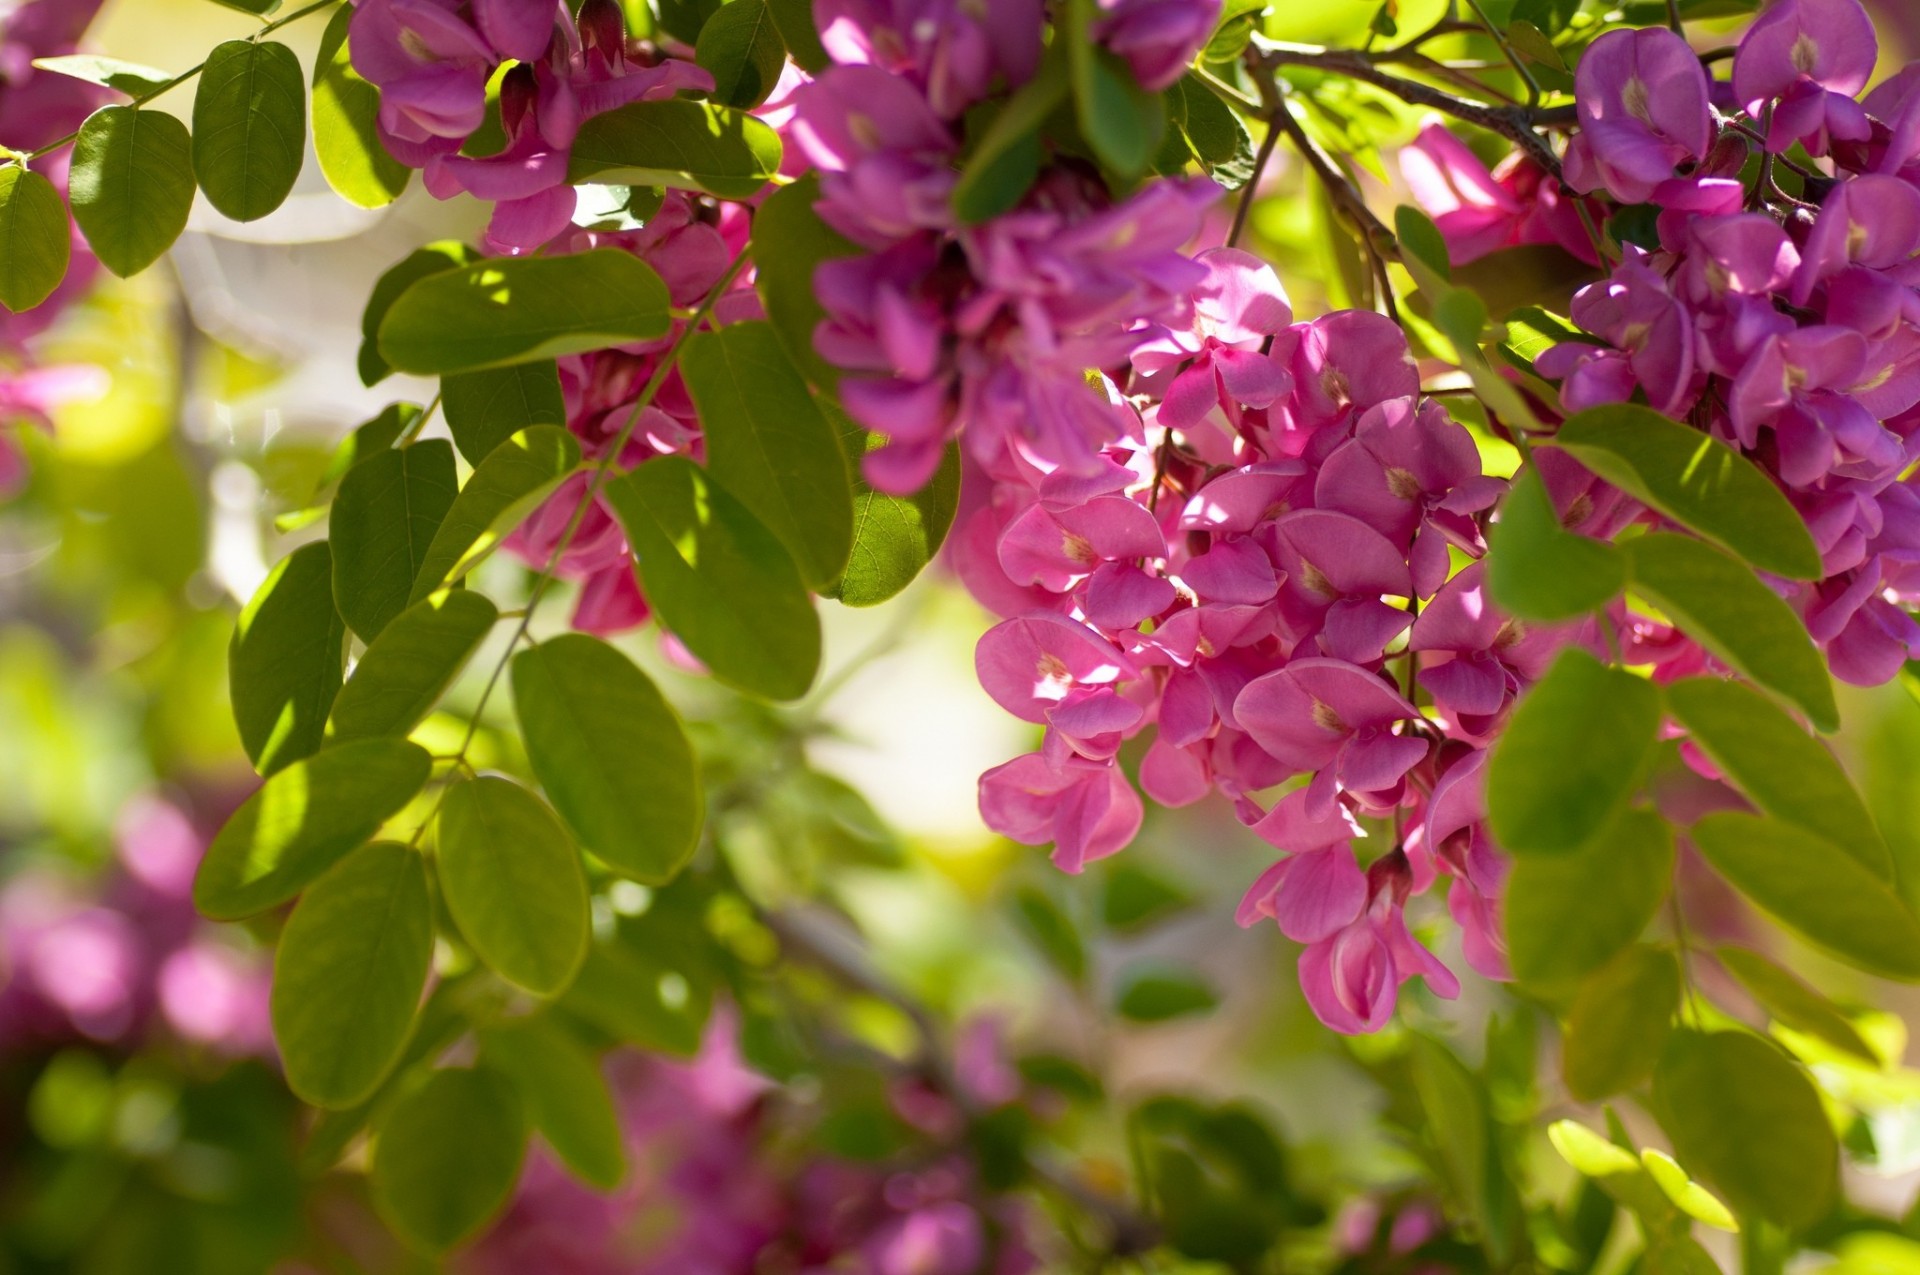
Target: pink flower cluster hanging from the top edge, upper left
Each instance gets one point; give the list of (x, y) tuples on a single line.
[(433, 62)]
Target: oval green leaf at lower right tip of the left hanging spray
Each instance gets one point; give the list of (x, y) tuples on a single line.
[(514, 884)]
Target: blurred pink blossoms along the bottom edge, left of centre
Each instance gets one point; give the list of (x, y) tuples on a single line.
[(719, 1188)]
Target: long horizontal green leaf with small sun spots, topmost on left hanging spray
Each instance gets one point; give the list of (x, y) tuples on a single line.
[(517, 310)]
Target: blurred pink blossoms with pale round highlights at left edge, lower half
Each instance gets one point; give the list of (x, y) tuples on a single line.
[(116, 961)]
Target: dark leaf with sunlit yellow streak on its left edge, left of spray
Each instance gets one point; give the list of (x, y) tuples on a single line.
[(283, 665)]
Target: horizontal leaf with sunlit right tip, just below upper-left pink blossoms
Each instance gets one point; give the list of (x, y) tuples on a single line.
[(677, 143)]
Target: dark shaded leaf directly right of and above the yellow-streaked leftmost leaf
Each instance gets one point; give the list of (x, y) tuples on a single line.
[(385, 517)]
